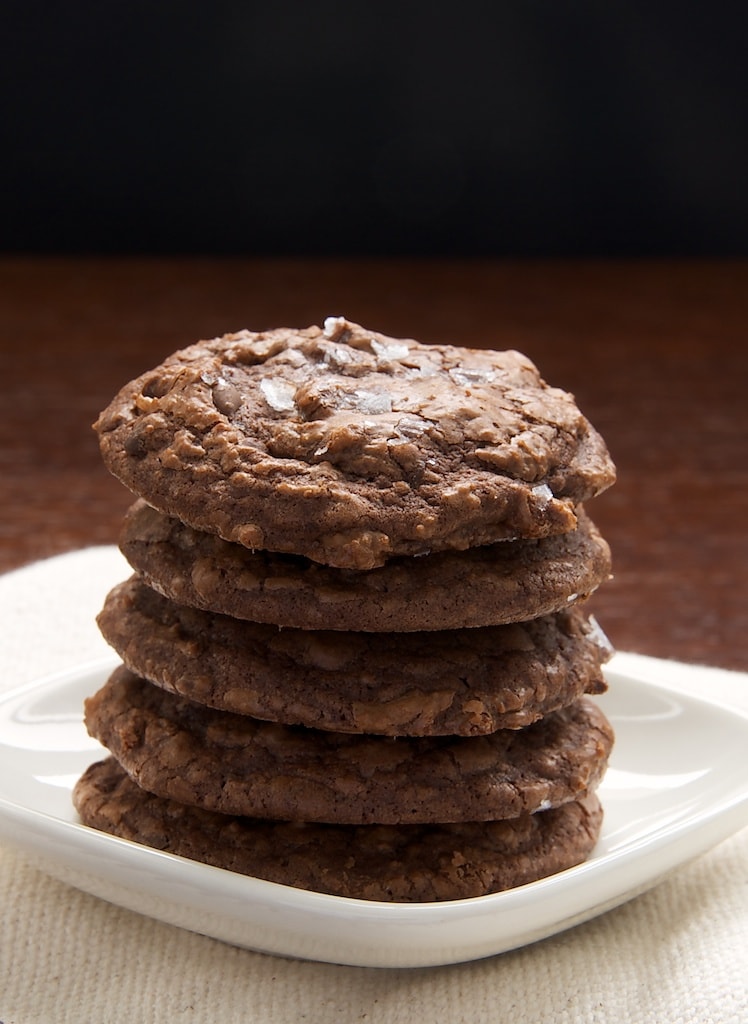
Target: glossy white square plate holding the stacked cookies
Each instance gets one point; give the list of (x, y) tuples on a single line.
[(677, 786)]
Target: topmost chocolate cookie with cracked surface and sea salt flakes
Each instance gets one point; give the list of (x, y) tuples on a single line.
[(348, 447)]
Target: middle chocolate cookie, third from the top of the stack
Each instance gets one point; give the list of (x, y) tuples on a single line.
[(463, 681)]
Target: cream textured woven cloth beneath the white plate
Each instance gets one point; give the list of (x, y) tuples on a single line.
[(678, 954)]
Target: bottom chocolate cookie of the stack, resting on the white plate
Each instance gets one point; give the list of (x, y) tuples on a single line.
[(407, 864)]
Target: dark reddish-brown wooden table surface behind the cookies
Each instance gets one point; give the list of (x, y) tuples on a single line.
[(657, 356)]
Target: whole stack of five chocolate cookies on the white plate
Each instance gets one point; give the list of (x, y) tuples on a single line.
[(356, 657)]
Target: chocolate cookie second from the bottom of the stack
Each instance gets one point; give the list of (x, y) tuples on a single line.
[(238, 765)]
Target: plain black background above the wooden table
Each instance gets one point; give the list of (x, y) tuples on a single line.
[(526, 130)]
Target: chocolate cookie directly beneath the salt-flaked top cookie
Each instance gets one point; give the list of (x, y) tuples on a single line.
[(511, 581)]
